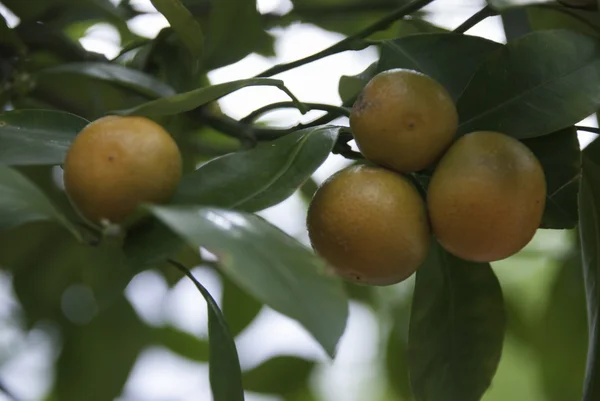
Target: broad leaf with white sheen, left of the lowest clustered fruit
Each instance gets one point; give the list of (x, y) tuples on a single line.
[(267, 263)]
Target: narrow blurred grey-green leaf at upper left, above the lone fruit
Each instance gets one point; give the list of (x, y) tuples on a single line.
[(125, 77)]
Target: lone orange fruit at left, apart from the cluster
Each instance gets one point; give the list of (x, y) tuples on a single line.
[(115, 163)]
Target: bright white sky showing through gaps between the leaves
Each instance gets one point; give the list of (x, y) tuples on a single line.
[(160, 375)]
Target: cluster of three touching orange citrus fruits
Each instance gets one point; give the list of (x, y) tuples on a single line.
[(484, 201)]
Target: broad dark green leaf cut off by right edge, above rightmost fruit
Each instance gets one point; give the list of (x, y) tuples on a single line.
[(541, 83)]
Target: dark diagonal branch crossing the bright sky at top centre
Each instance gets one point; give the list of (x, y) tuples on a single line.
[(353, 42)]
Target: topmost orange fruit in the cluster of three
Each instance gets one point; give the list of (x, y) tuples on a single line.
[(403, 120)]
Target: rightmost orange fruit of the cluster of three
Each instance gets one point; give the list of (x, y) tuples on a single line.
[(486, 197)]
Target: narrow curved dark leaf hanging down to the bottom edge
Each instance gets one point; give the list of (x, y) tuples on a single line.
[(224, 365)]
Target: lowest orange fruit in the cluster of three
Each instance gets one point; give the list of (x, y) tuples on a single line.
[(370, 224)]
